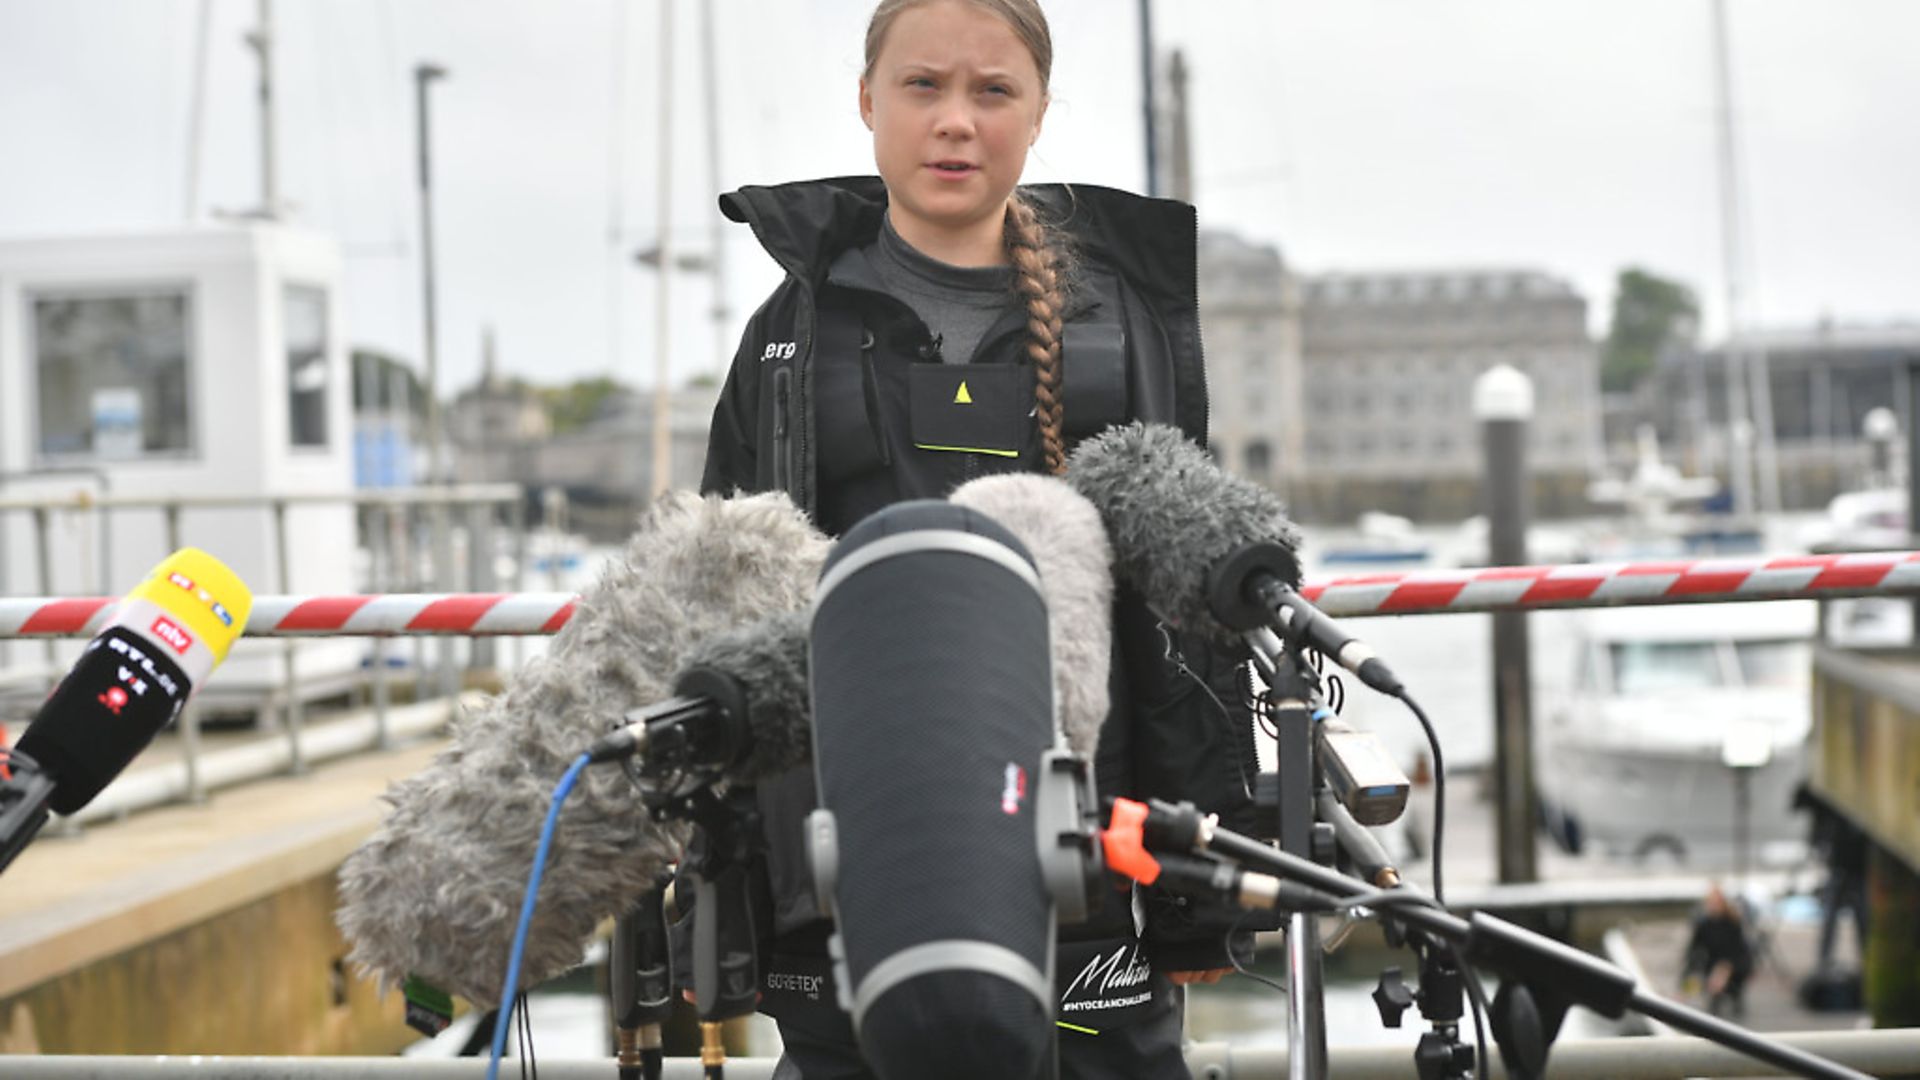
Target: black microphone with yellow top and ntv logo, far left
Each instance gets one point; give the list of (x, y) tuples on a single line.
[(132, 681)]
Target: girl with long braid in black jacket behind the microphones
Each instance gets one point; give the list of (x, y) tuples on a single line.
[(940, 324)]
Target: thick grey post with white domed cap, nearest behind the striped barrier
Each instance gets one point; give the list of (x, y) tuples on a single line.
[(1504, 405)]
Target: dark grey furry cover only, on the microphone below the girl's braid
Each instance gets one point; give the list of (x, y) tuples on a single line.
[(1172, 516)]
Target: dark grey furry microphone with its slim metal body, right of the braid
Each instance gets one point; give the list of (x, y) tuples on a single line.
[(1209, 551)]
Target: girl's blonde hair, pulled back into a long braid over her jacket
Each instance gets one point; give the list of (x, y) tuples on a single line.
[(1036, 255)]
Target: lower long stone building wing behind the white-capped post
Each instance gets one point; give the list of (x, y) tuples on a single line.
[(1389, 364)]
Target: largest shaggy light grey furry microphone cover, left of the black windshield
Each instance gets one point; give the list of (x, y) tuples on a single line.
[(437, 891)]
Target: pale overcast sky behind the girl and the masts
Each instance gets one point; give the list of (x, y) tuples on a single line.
[(1572, 135)]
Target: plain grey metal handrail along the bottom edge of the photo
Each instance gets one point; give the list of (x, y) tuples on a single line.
[(1877, 1052)]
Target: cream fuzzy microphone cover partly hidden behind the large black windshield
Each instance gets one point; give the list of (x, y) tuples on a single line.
[(1067, 539)]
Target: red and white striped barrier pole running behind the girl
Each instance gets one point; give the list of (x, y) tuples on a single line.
[(1489, 589)]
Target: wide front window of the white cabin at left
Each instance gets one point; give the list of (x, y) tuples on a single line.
[(110, 374)]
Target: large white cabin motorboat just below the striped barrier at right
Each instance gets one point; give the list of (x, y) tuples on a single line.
[(1683, 733)]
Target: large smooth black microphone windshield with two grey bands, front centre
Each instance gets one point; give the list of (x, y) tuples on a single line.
[(932, 722)]
